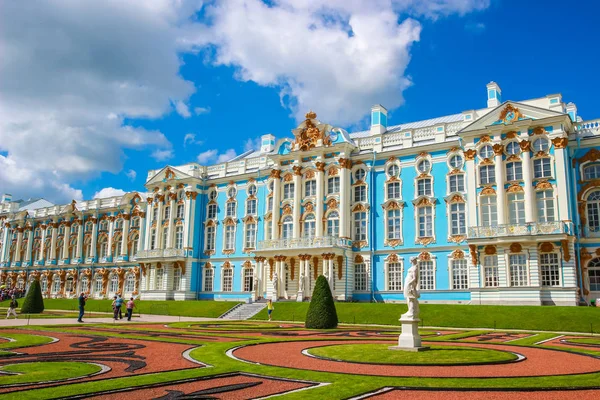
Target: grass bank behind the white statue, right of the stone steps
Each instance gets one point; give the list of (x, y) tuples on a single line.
[(547, 318)]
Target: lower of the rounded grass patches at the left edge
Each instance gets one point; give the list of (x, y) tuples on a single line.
[(45, 371)]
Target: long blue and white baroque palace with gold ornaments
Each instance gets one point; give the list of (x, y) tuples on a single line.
[(500, 205)]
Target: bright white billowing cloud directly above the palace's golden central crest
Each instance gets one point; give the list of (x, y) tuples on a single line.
[(337, 59)]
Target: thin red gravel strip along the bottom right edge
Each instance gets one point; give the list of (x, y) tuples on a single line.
[(447, 395)]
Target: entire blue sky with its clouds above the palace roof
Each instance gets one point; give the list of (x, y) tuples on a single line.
[(216, 74)]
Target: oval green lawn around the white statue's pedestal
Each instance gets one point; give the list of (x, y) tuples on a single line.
[(436, 355)]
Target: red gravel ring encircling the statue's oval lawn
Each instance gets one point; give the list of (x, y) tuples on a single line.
[(539, 362)]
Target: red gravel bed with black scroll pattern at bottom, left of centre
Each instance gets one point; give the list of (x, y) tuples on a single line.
[(267, 387)]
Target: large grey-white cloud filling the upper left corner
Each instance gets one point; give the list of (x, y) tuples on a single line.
[(72, 73)]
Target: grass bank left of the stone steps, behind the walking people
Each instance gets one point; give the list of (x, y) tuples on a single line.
[(208, 309)]
